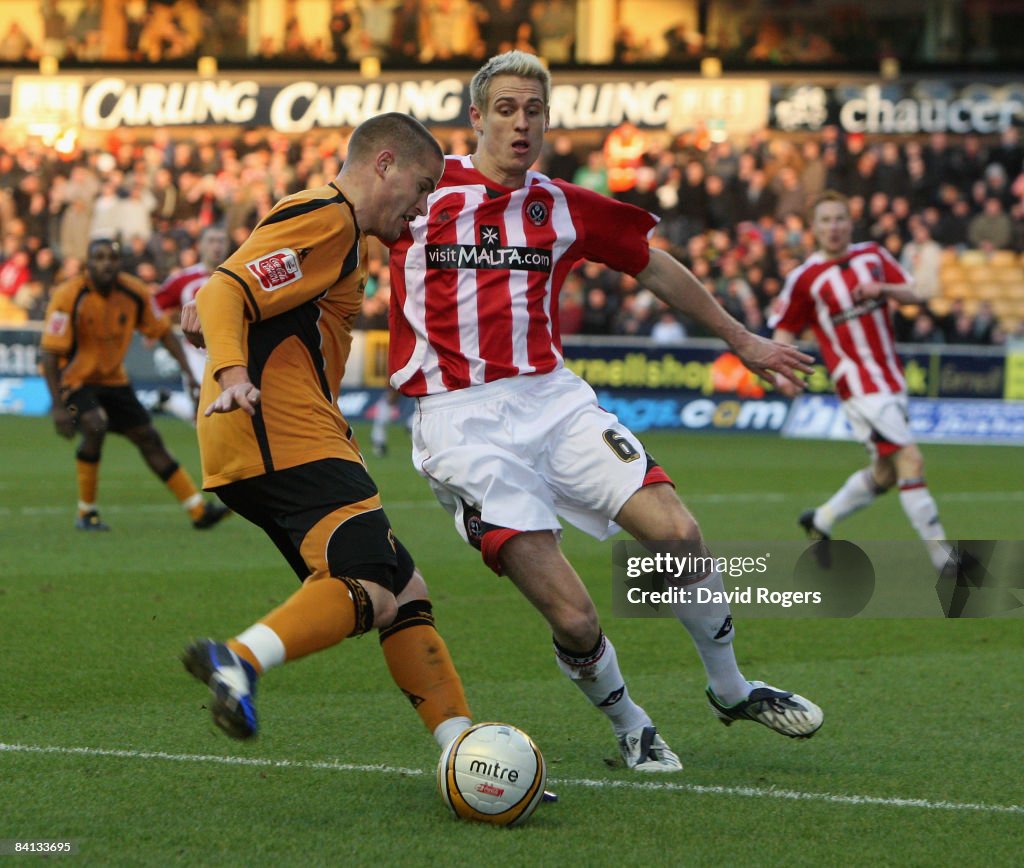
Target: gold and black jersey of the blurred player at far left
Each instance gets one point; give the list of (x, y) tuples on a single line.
[(92, 332)]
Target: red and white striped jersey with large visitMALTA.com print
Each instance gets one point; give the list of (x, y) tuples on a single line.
[(476, 282)]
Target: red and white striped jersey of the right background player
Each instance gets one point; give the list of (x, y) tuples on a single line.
[(857, 339)]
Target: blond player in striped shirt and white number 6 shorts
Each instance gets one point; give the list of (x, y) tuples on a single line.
[(509, 439)]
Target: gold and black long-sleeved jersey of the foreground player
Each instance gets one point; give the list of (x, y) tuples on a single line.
[(283, 306)]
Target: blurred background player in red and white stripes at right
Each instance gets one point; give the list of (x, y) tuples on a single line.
[(842, 293)]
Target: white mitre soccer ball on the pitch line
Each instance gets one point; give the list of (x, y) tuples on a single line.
[(493, 773)]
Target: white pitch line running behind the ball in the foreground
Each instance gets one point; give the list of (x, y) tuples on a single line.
[(700, 790)]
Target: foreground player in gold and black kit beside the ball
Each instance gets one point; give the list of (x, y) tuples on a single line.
[(277, 320)]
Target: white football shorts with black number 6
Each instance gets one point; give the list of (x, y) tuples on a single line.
[(526, 451)]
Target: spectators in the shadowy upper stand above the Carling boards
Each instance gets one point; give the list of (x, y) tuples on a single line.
[(406, 33)]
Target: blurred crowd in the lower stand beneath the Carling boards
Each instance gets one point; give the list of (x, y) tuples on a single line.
[(734, 214)]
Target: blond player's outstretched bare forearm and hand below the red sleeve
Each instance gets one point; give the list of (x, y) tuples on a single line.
[(677, 287)]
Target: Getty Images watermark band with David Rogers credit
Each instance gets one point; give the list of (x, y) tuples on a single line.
[(832, 580)]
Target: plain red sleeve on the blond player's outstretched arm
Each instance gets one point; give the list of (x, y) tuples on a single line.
[(612, 233)]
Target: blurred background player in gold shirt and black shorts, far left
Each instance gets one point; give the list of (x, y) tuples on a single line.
[(90, 326)]
